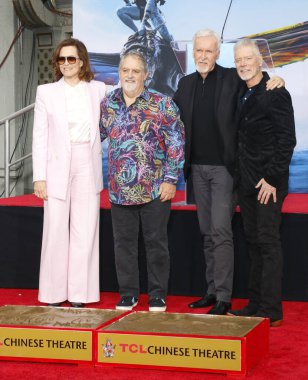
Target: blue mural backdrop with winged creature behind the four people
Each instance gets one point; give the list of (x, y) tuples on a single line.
[(284, 44)]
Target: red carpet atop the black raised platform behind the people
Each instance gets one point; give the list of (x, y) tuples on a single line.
[(293, 204)]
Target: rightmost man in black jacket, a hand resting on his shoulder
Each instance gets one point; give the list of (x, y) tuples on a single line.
[(266, 139)]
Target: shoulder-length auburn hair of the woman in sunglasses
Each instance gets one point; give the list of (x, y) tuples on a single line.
[(85, 73)]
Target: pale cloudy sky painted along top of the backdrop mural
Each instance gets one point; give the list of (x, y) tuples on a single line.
[(97, 20)]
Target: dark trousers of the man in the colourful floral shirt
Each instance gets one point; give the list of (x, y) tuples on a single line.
[(126, 220)]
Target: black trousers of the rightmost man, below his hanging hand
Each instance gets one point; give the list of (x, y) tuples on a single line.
[(262, 233)]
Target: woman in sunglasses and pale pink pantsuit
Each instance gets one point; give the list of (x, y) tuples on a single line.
[(67, 174)]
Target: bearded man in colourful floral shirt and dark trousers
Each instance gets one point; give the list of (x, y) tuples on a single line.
[(146, 156)]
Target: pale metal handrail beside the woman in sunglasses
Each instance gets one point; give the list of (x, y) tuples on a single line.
[(7, 162)]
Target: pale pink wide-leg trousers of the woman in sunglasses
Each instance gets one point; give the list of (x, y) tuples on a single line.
[(70, 248)]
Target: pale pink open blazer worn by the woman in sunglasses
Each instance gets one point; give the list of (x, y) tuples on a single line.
[(51, 147)]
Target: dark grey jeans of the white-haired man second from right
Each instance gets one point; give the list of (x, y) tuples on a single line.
[(213, 190)]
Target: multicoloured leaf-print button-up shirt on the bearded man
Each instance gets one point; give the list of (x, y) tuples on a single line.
[(146, 145)]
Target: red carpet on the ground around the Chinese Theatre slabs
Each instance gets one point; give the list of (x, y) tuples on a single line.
[(287, 359)]
